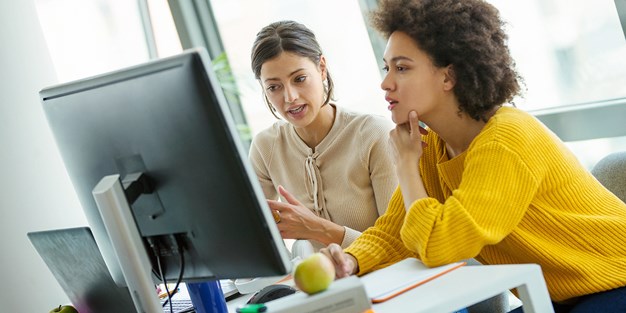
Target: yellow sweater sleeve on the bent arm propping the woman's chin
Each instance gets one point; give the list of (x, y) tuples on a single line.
[(493, 196)]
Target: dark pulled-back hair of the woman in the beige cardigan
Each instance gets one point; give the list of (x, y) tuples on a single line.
[(287, 36)]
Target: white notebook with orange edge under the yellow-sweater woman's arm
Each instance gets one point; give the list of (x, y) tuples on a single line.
[(401, 277)]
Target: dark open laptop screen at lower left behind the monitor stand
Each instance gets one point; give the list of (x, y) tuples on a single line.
[(73, 257)]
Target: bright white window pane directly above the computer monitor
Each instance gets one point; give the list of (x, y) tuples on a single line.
[(87, 38)]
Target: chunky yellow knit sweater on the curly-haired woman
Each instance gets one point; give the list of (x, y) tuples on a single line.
[(516, 195)]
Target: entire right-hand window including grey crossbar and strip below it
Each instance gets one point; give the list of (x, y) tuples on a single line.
[(570, 54)]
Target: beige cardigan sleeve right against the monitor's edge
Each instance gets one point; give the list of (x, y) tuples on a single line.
[(260, 156)]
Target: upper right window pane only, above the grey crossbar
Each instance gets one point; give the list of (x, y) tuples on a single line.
[(568, 52)]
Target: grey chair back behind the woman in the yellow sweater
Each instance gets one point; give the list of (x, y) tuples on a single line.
[(610, 171)]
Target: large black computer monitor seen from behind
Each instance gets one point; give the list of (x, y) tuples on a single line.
[(168, 120)]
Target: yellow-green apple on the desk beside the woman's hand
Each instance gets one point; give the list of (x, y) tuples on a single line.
[(314, 274)]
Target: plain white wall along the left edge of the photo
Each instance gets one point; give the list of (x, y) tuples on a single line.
[(35, 192)]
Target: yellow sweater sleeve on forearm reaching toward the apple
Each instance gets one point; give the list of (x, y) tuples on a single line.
[(380, 245)]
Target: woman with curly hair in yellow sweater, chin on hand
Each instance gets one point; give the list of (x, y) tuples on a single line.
[(483, 180)]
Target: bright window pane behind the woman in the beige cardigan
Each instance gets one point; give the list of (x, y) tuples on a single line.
[(340, 30)]
